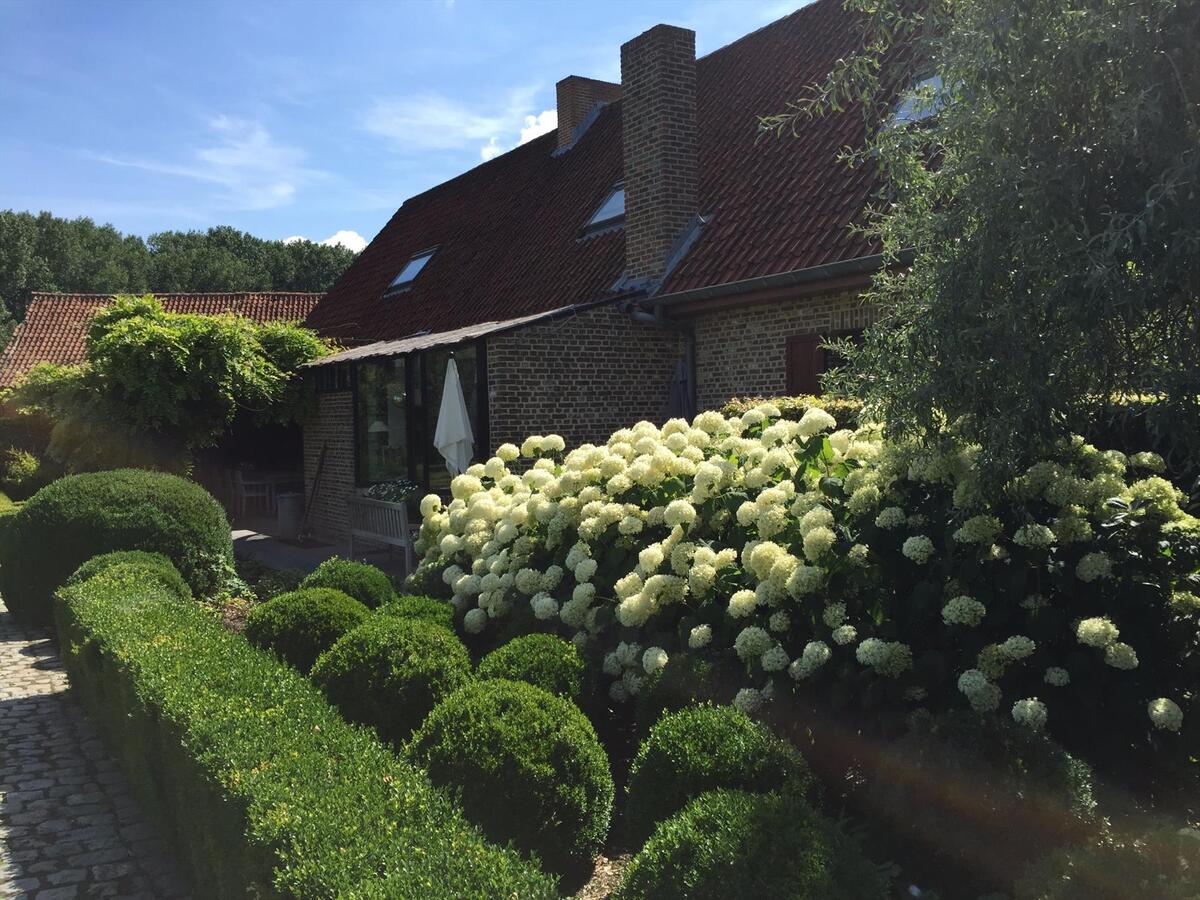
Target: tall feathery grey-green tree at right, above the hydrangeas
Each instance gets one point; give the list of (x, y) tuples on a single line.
[(1049, 208)]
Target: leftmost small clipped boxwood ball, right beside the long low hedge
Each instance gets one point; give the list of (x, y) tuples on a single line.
[(301, 626)]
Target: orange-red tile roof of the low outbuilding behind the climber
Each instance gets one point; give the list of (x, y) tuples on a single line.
[(56, 325)]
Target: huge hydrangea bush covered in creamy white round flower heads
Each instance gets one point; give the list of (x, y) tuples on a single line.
[(803, 551)]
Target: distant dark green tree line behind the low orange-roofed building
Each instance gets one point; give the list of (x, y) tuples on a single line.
[(44, 253)]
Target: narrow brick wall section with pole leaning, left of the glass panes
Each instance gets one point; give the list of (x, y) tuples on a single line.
[(332, 425)]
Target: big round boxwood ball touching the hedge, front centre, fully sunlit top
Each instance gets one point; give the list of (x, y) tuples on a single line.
[(527, 766)]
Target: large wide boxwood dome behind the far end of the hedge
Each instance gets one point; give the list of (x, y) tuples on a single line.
[(76, 518)]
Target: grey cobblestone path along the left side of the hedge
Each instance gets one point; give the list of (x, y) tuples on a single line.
[(69, 827)]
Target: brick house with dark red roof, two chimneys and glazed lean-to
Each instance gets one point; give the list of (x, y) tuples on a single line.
[(657, 232)]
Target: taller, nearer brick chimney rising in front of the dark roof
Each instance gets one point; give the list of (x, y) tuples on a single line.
[(658, 80)]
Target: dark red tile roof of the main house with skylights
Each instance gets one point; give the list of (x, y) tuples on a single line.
[(508, 232)]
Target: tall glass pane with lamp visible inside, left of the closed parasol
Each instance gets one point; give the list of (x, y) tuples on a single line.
[(382, 421)]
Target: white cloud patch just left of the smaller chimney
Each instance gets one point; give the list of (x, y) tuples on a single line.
[(434, 122)]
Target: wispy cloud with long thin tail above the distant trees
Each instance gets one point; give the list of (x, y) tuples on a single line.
[(254, 171)]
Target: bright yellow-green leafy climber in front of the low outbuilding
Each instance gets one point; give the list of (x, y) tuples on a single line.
[(157, 386)]
